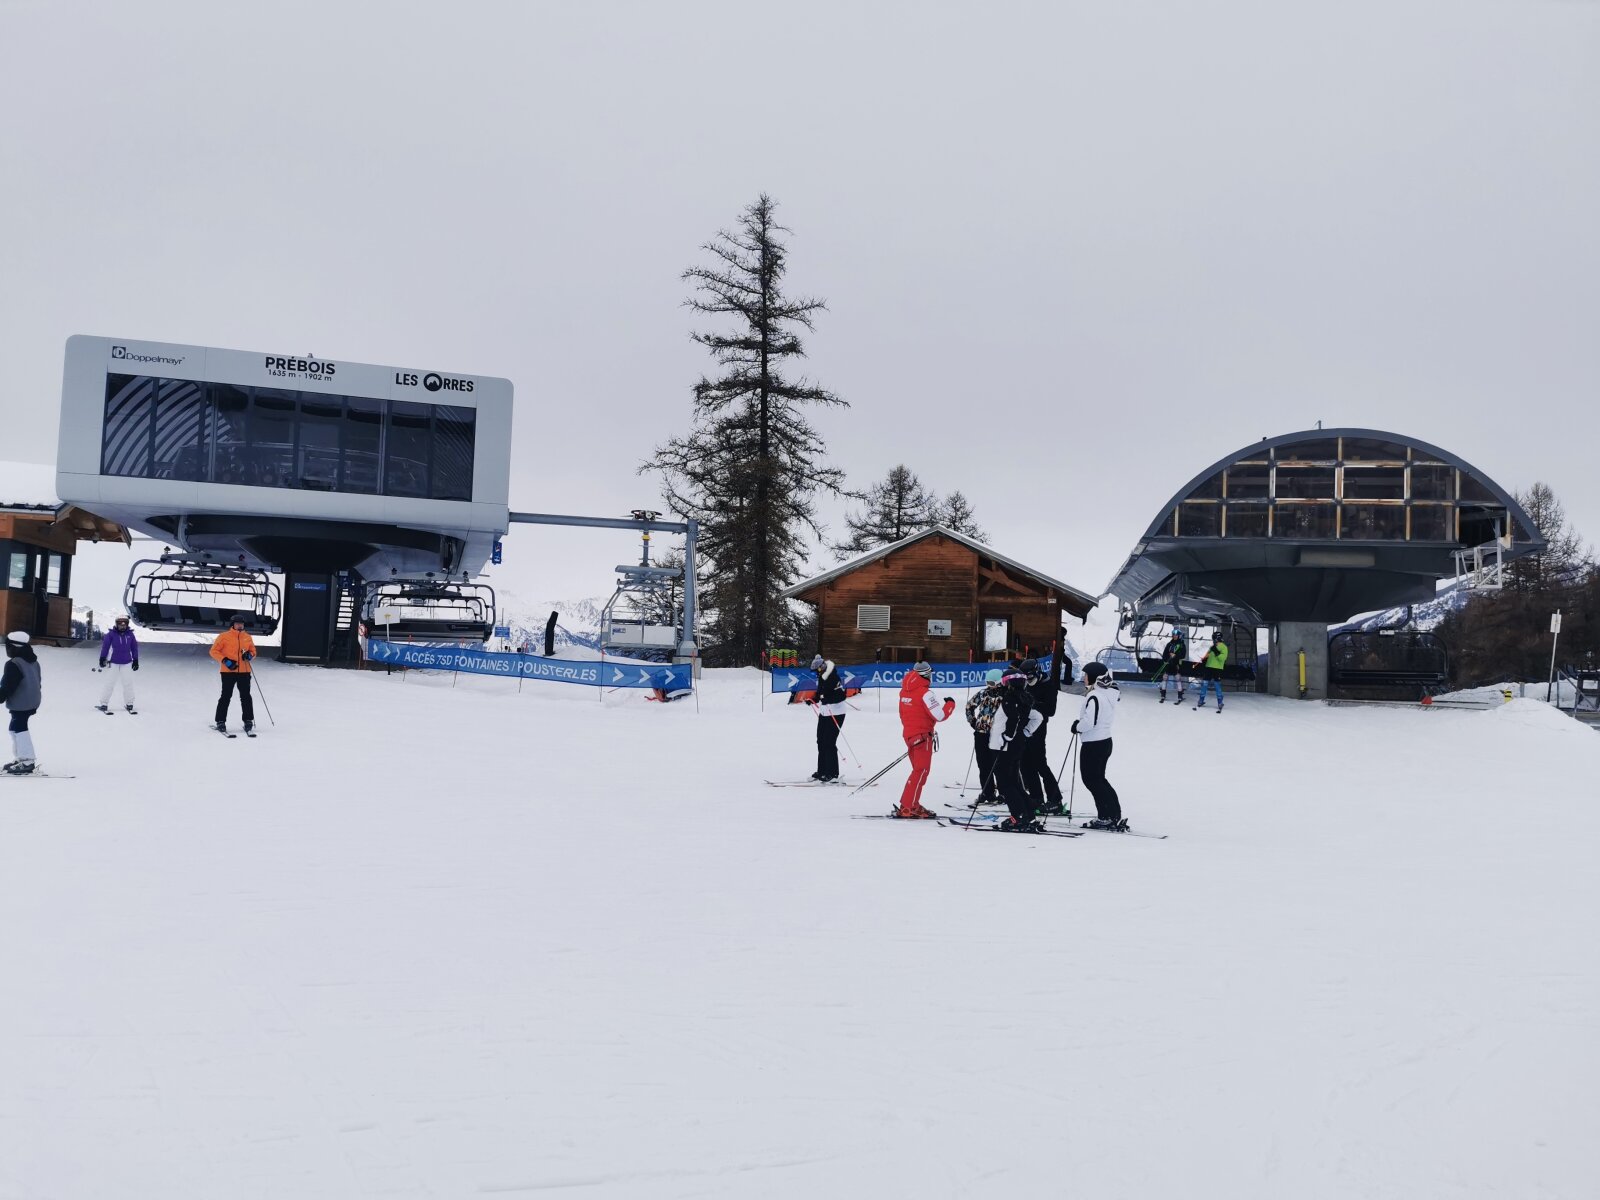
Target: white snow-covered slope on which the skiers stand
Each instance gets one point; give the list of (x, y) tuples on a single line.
[(441, 938)]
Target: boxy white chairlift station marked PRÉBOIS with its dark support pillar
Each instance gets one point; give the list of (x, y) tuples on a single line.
[(314, 468)]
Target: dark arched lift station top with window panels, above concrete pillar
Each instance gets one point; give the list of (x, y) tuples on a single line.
[(1318, 526)]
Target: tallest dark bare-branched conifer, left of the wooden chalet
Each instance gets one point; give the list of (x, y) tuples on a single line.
[(751, 466)]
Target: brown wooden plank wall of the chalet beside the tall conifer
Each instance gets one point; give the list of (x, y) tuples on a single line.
[(934, 580)]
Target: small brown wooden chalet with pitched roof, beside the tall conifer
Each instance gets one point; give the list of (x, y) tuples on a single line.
[(937, 596)]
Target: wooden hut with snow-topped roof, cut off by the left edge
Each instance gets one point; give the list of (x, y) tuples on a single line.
[(38, 542)]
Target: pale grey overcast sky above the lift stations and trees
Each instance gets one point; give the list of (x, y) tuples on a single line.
[(1073, 252)]
